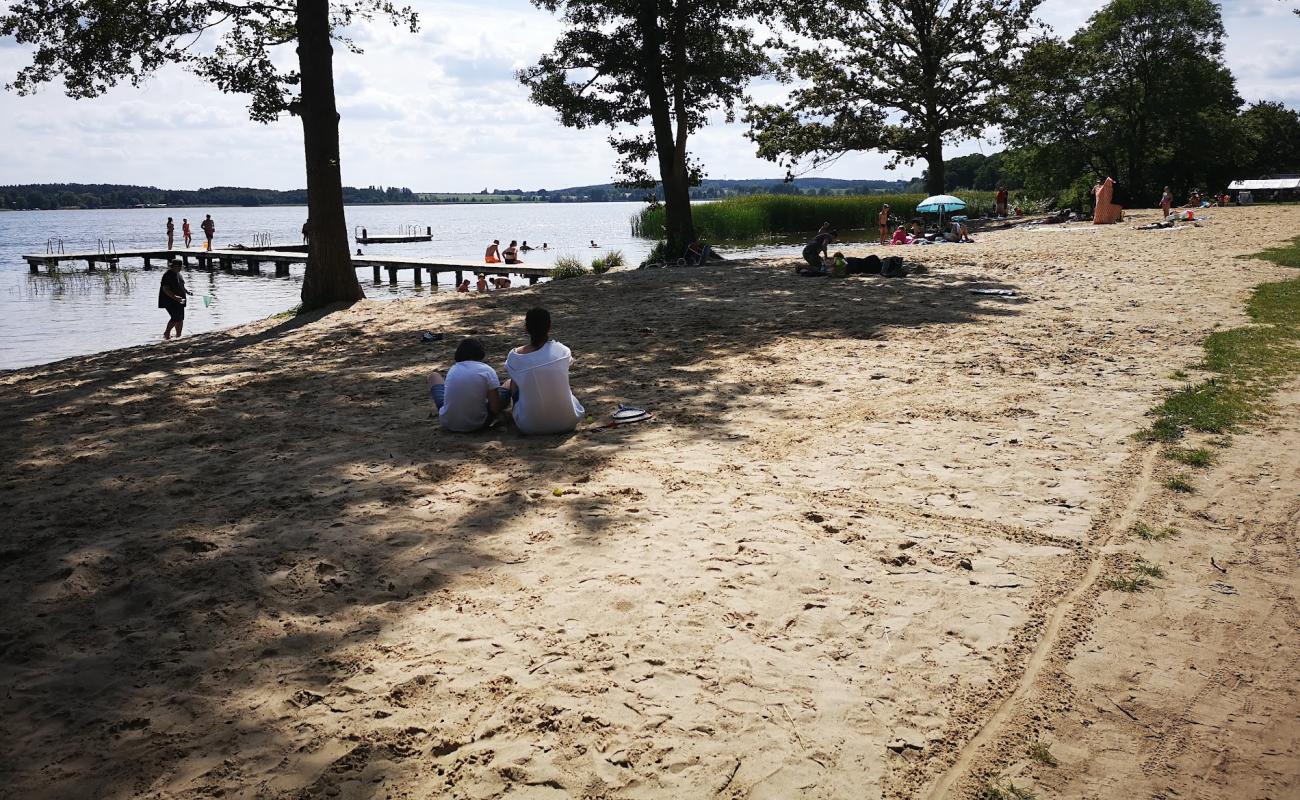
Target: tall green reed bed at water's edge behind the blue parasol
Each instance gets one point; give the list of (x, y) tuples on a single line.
[(757, 217)]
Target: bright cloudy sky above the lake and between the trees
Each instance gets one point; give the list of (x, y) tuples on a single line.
[(441, 111)]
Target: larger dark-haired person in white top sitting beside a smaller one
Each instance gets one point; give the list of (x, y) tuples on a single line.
[(539, 380)]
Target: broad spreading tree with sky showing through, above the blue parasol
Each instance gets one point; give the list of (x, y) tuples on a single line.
[(898, 77)]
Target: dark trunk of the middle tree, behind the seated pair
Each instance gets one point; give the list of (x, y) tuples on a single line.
[(679, 227)]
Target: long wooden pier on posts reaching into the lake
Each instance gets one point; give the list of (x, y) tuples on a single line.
[(253, 262)]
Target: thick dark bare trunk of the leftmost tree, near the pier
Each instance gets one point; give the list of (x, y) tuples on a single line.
[(331, 276)]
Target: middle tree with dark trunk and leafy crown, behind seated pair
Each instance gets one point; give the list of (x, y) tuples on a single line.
[(666, 63)]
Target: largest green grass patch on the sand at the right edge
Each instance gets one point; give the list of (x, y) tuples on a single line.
[(1250, 362)]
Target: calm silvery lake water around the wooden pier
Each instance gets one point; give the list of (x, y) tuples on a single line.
[(44, 321)]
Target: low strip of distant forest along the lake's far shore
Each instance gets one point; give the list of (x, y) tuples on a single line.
[(114, 196)]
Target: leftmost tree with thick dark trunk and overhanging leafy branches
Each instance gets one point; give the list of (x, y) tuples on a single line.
[(96, 45)]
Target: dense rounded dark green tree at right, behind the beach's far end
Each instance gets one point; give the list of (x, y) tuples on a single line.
[(1169, 105)]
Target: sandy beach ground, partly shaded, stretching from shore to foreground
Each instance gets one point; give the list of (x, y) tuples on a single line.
[(857, 553)]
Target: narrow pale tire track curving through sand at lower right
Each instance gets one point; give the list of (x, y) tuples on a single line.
[(1004, 712)]
